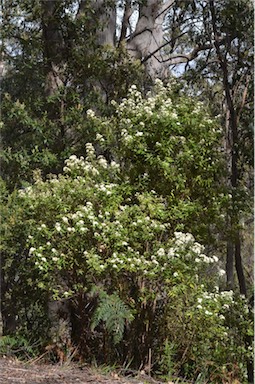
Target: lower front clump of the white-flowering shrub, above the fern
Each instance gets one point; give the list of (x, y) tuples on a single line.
[(89, 231)]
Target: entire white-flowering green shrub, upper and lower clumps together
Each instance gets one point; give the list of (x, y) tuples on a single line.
[(124, 226)]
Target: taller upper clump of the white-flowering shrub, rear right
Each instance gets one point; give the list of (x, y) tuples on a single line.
[(169, 143)]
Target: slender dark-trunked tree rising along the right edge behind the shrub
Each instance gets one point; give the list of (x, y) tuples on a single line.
[(223, 74)]
